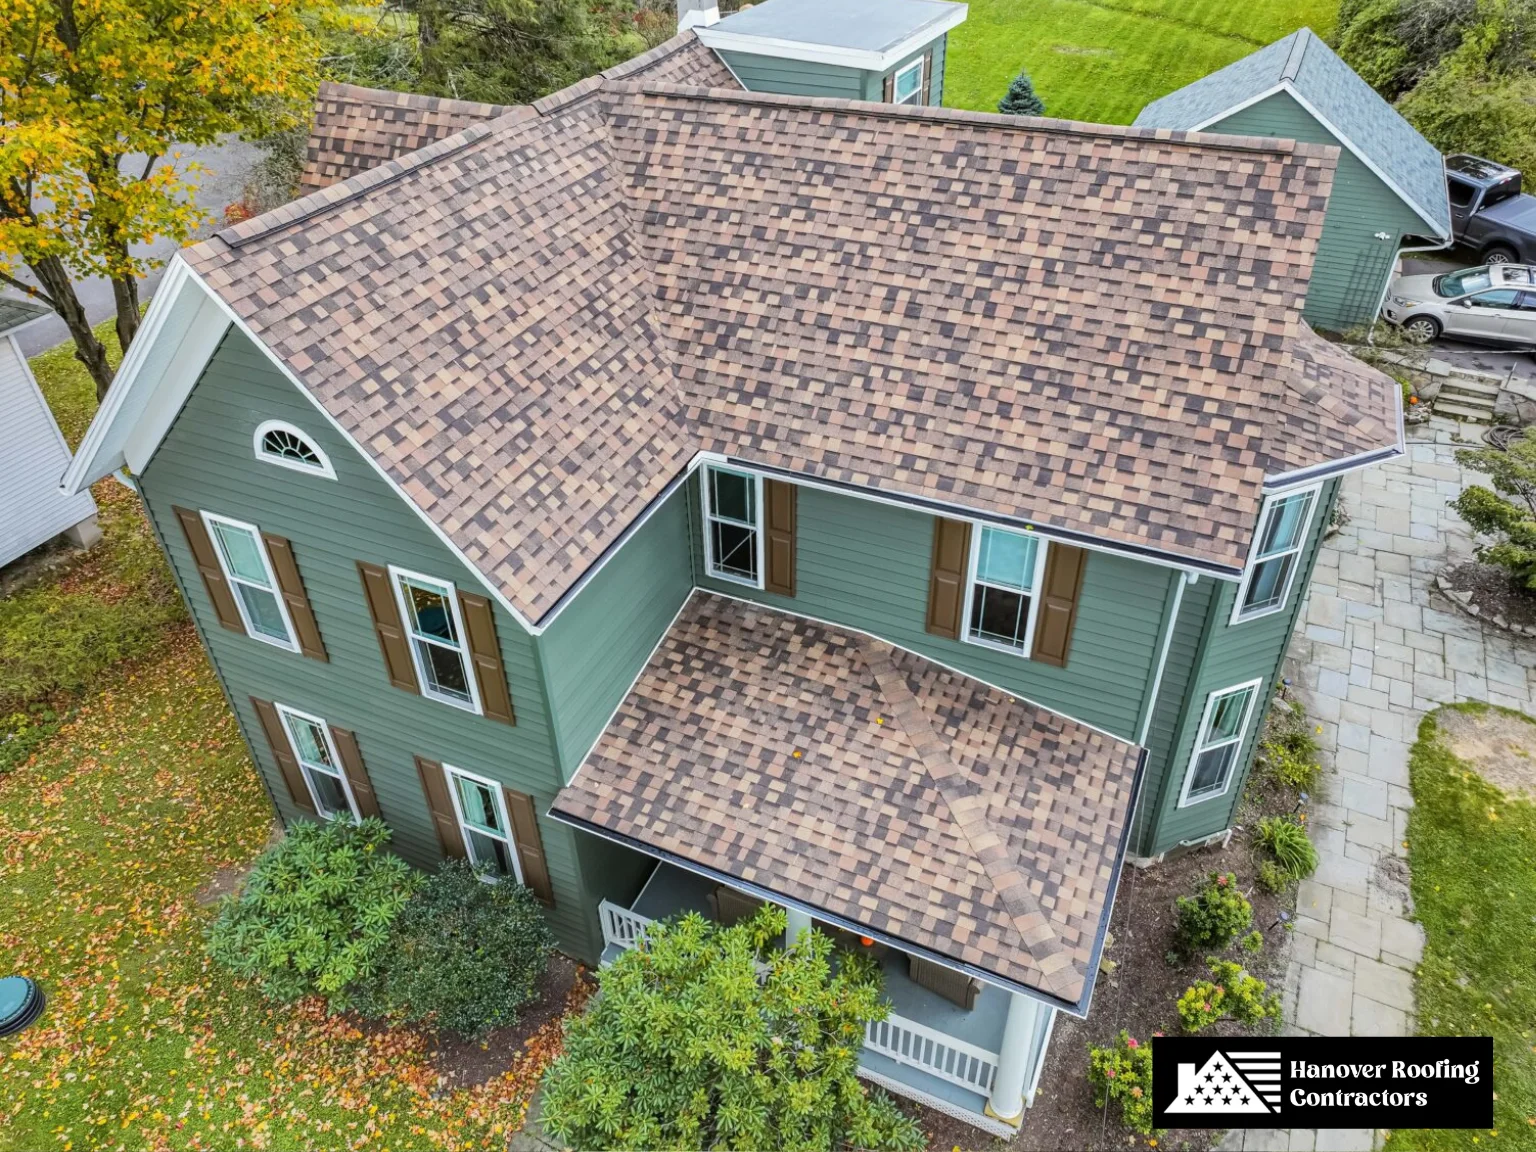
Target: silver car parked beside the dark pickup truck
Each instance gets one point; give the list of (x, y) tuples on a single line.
[(1492, 303)]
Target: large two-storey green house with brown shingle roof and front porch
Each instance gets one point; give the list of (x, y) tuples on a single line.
[(677, 498)]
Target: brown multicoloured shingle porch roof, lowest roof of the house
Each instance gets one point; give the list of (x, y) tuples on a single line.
[(872, 786)]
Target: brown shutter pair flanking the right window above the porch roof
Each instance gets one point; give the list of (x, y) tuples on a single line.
[(1059, 592)]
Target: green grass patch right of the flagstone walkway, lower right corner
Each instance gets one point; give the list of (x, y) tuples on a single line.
[(1474, 858)]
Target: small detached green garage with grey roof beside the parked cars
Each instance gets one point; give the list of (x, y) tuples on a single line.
[(1389, 191)]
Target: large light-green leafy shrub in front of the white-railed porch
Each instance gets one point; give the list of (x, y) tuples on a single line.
[(687, 1047)]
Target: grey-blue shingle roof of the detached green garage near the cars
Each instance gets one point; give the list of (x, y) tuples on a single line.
[(1332, 91)]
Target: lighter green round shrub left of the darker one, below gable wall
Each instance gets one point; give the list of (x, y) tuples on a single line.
[(316, 913)]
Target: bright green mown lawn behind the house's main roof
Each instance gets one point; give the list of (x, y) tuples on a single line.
[(1104, 61)]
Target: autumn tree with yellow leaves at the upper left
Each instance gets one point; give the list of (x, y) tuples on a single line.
[(96, 98)]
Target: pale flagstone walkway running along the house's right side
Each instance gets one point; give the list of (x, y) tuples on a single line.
[(1374, 655)]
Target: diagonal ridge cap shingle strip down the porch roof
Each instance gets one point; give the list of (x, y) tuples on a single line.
[(968, 815)]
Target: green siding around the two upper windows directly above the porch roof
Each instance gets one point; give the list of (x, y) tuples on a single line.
[(866, 566)]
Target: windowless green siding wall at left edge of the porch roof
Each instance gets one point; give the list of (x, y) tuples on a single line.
[(603, 638)]
